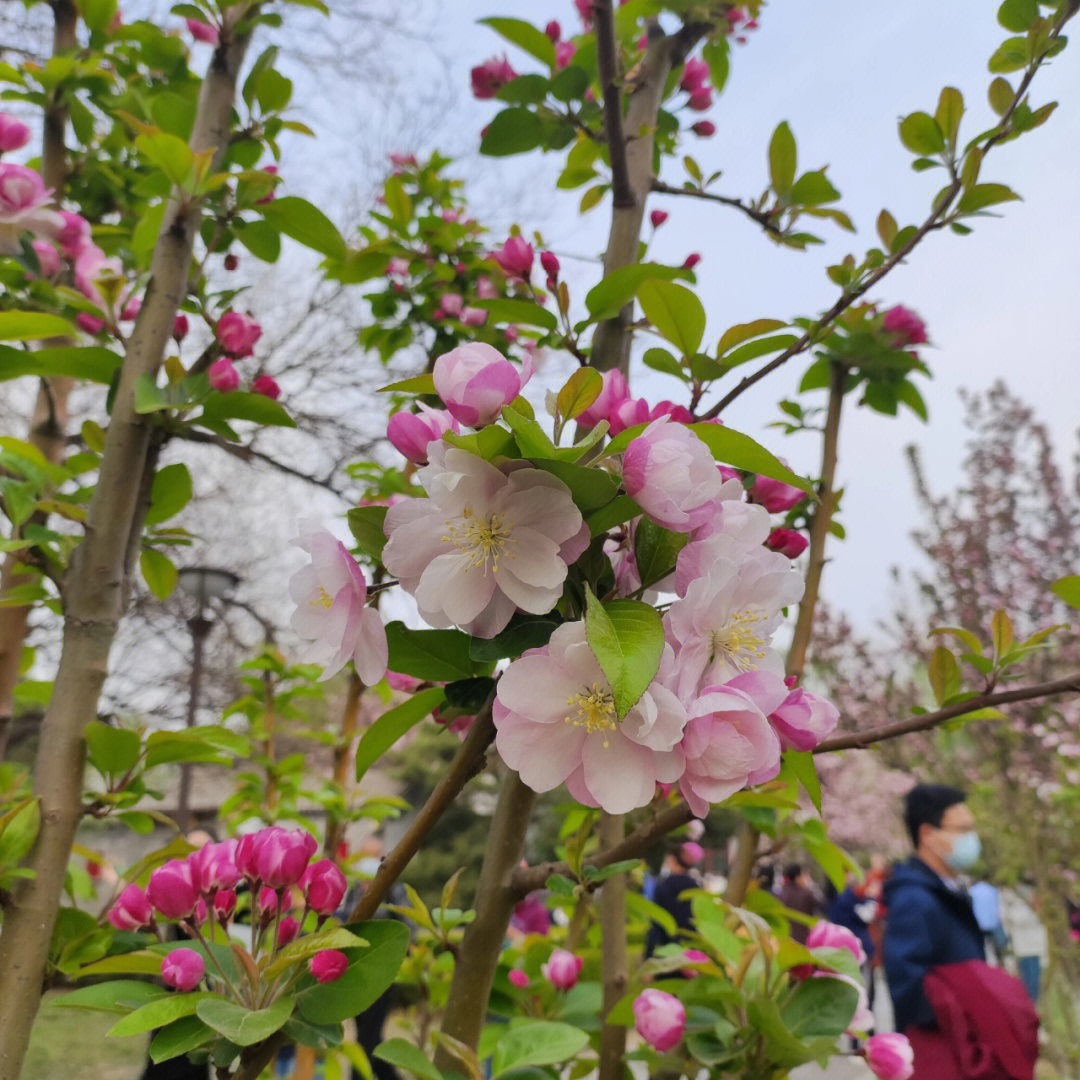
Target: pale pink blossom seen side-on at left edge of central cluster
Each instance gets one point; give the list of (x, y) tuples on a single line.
[(331, 595)]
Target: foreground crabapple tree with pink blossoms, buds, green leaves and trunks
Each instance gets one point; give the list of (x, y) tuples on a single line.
[(599, 590)]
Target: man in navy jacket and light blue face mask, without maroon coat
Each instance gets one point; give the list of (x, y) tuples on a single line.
[(930, 921)]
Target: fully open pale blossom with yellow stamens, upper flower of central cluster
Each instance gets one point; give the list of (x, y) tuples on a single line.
[(484, 543)]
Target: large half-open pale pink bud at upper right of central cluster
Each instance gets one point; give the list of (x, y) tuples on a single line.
[(672, 477)]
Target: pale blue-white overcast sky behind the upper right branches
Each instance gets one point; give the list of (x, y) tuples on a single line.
[(1001, 303)]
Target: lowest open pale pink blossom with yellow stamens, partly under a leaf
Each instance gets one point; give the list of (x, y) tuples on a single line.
[(558, 723)]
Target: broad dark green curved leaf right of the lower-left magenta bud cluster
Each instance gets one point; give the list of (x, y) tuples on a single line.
[(371, 973)]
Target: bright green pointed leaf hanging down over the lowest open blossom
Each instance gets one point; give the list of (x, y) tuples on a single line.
[(628, 640)]
